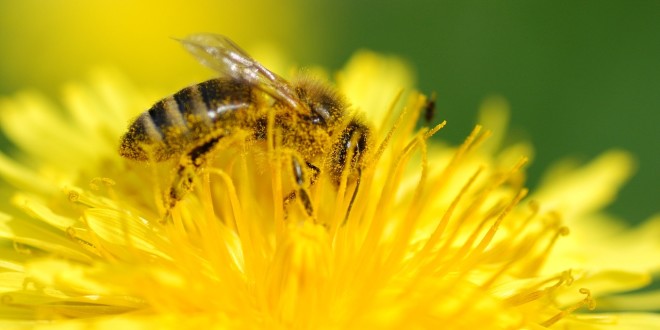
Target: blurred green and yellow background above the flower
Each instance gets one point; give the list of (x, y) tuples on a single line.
[(581, 76)]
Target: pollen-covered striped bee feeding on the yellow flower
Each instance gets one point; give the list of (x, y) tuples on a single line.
[(191, 124)]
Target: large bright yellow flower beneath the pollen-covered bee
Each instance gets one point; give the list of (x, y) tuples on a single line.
[(437, 236)]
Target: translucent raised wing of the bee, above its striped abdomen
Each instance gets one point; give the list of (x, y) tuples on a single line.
[(223, 55)]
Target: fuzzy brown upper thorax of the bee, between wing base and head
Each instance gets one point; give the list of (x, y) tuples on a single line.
[(325, 104)]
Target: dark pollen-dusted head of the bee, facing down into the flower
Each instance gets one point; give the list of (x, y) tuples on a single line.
[(349, 151)]
